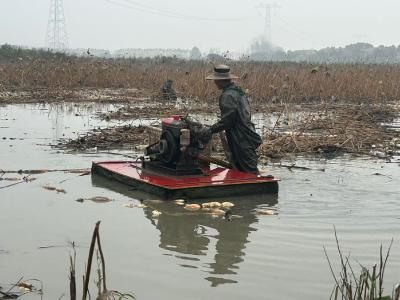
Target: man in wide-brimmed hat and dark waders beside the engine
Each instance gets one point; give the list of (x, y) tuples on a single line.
[(241, 135)]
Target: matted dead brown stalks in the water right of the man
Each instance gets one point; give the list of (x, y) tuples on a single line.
[(336, 130)]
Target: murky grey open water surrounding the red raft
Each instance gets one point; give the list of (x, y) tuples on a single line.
[(182, 255)]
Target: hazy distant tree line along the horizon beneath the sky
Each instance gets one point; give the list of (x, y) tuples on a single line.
[(260, 50)]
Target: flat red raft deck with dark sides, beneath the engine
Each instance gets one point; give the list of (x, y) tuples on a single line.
[(215, 182)]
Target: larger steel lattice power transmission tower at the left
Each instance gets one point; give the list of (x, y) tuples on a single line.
[(56, 37)]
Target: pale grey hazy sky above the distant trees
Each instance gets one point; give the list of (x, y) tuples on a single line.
[(115, 24)]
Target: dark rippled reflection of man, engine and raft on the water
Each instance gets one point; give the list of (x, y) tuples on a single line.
[(198, 237)]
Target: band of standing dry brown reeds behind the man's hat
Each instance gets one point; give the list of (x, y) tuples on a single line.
[(265, 82)]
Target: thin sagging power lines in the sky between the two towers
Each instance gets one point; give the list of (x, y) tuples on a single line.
[(133, 5)]
